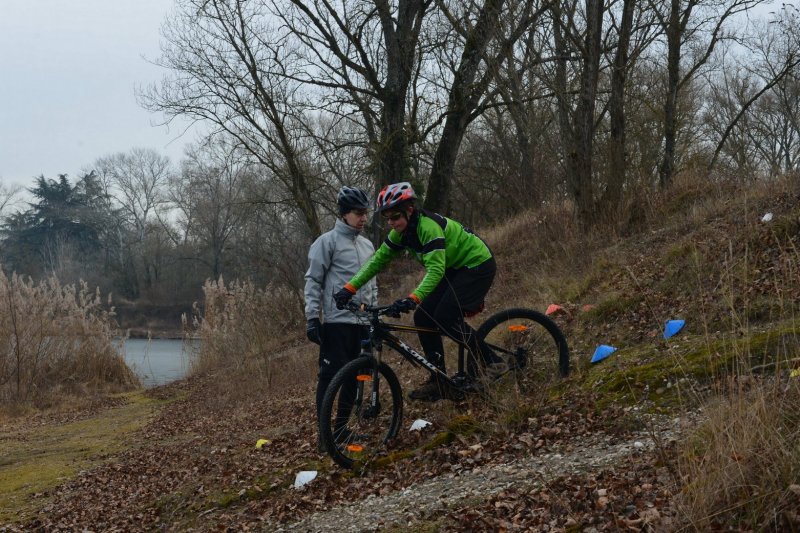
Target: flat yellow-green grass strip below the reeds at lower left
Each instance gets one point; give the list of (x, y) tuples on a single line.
[(36, 460)]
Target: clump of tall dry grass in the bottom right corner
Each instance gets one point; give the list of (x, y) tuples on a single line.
[(743, 464)]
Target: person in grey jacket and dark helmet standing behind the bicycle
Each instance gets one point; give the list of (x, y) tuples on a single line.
[(333, 259)]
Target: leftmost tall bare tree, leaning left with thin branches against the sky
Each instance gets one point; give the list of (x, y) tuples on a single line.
[(226, 62)]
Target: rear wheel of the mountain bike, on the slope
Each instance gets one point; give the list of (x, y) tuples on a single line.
[(530, 342)]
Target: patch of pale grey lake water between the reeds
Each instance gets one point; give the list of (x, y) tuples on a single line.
[(157, 361)]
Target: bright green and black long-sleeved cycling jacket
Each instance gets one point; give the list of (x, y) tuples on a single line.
[(439, 243)]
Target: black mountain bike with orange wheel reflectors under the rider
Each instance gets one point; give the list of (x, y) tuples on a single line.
[(359, 416)]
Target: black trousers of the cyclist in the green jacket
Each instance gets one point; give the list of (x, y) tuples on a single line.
[(461, 290)]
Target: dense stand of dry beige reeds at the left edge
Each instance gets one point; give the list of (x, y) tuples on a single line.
[(58, 344)]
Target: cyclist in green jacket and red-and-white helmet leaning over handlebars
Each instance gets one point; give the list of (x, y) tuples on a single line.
[(459, 270)]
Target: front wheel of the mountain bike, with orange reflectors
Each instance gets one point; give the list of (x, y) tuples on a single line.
[(361, 411)]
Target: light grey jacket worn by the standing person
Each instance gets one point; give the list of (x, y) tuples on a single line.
[(333, 259)]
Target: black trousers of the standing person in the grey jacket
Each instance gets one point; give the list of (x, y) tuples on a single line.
[(341, 343)]
